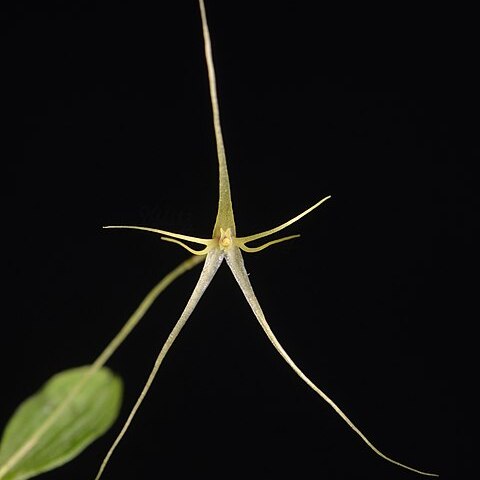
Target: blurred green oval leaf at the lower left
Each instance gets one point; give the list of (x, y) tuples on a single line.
[(88, 416)]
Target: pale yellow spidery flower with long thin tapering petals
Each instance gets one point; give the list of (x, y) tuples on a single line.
[(224, 244)]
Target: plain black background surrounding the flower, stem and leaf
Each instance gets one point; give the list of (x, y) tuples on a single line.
[(111, 124)]
